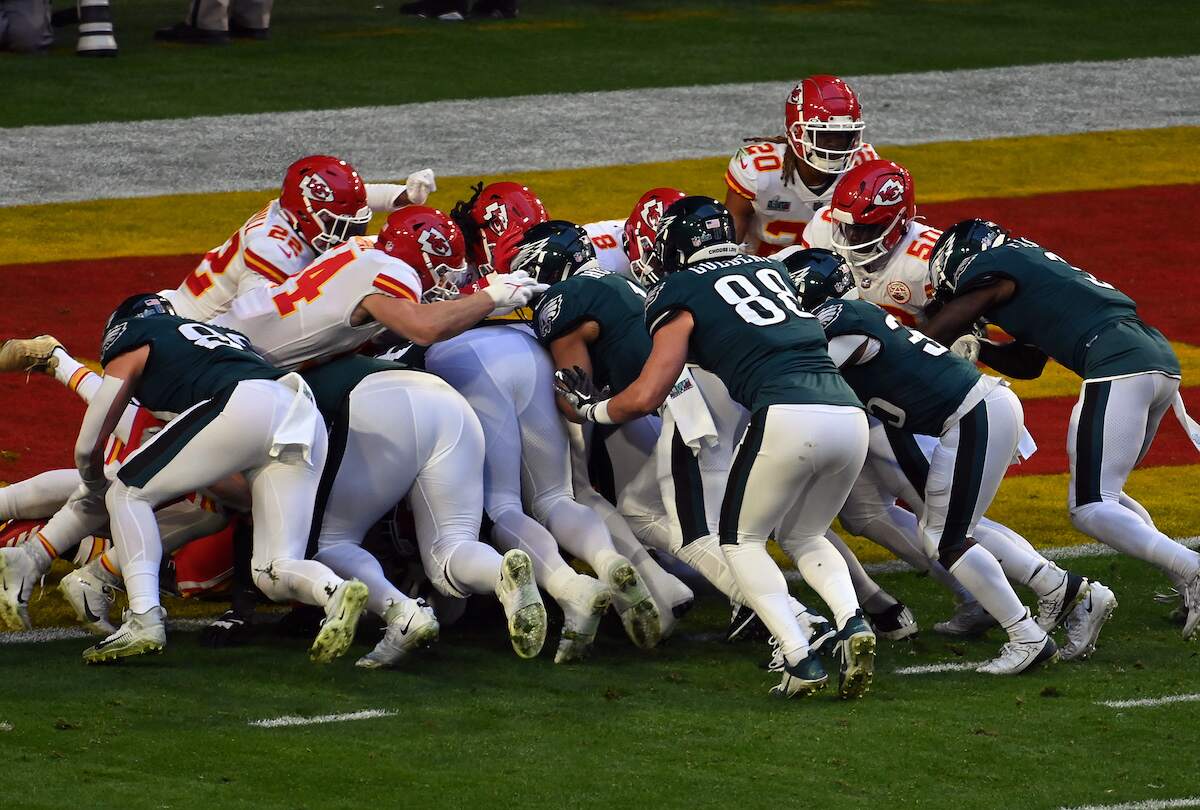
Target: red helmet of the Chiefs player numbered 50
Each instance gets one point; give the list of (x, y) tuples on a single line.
[(872, 208)]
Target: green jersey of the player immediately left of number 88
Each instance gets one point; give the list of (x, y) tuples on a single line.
[(617, 305)]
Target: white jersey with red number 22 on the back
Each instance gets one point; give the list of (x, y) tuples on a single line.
[(263, 253)]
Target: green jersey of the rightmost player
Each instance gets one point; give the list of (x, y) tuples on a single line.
[(1084, 323)]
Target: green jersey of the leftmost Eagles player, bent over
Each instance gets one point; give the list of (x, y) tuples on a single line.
[(189, 362)]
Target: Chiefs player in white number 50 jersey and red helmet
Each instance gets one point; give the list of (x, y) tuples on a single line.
[(872, 223)]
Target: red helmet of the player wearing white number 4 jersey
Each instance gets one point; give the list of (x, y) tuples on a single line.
[(431, 243)]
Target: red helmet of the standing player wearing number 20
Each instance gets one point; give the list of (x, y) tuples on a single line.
[(825, 123)]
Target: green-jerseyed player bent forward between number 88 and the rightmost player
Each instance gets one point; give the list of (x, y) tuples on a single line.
[(916, 386)]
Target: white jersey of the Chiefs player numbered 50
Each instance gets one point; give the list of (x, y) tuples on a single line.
[(898, 283)]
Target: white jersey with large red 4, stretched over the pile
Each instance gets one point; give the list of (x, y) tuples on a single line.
[(309, 317)]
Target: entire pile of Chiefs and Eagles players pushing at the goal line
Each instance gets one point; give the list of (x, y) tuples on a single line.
[(641, 395)]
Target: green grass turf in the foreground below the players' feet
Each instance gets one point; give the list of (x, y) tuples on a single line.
[(689, 725)]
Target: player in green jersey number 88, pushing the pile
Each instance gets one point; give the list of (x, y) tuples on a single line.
[(739, 316)]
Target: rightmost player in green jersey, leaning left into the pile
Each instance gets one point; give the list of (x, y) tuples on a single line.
[(1130, 371)]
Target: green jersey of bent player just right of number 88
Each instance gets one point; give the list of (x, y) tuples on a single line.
[(913, 382)]
